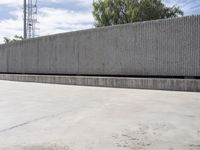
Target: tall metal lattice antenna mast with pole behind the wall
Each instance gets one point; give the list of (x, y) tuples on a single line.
[(30, 18)]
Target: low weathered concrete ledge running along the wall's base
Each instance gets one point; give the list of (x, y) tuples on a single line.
[(171, 84)]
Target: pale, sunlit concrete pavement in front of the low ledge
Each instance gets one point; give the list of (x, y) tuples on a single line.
[(37, 116)]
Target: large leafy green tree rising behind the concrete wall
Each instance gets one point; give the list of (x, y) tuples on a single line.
[(112, 12)]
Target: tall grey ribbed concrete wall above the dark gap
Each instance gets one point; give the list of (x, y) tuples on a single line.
[(158, 48)]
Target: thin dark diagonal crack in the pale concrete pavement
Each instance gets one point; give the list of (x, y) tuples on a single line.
[(31, 121)]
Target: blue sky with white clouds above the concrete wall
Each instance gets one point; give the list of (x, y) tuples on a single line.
[(57, 16)]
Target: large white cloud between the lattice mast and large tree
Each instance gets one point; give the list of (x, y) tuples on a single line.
[(58, 20)]
